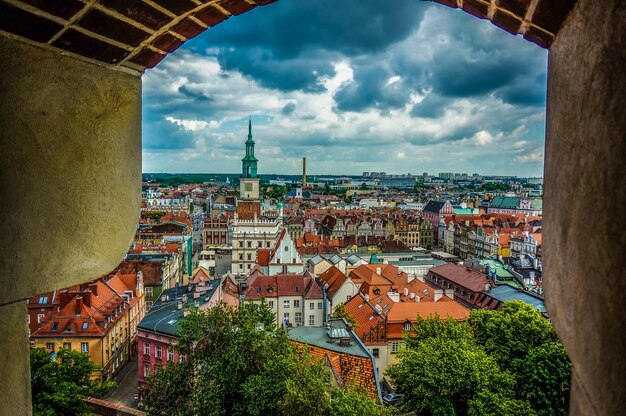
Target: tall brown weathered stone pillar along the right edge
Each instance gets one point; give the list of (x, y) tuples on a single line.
[(584, 227)]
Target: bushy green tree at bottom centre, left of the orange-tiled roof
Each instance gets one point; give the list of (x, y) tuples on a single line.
[(239, 363)]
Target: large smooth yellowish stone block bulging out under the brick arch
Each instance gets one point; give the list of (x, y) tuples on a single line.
[(70, 169)]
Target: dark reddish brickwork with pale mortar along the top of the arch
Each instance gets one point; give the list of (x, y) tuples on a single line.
[(138, 34)]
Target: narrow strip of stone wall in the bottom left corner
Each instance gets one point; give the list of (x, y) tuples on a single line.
[(15, 396)]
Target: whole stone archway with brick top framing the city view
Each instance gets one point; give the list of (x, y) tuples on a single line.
[(72, 154)]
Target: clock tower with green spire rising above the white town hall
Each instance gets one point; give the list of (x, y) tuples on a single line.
[(249, 205)]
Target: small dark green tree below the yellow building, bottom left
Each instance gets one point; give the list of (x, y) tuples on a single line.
[(60, 386)]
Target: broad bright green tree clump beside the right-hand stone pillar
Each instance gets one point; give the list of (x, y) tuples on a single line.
[(506, 362)]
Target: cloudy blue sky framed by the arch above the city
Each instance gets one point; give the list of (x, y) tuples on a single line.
[(353, 86)]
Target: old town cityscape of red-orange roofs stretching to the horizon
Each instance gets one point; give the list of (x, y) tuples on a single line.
[(347, 267)]
